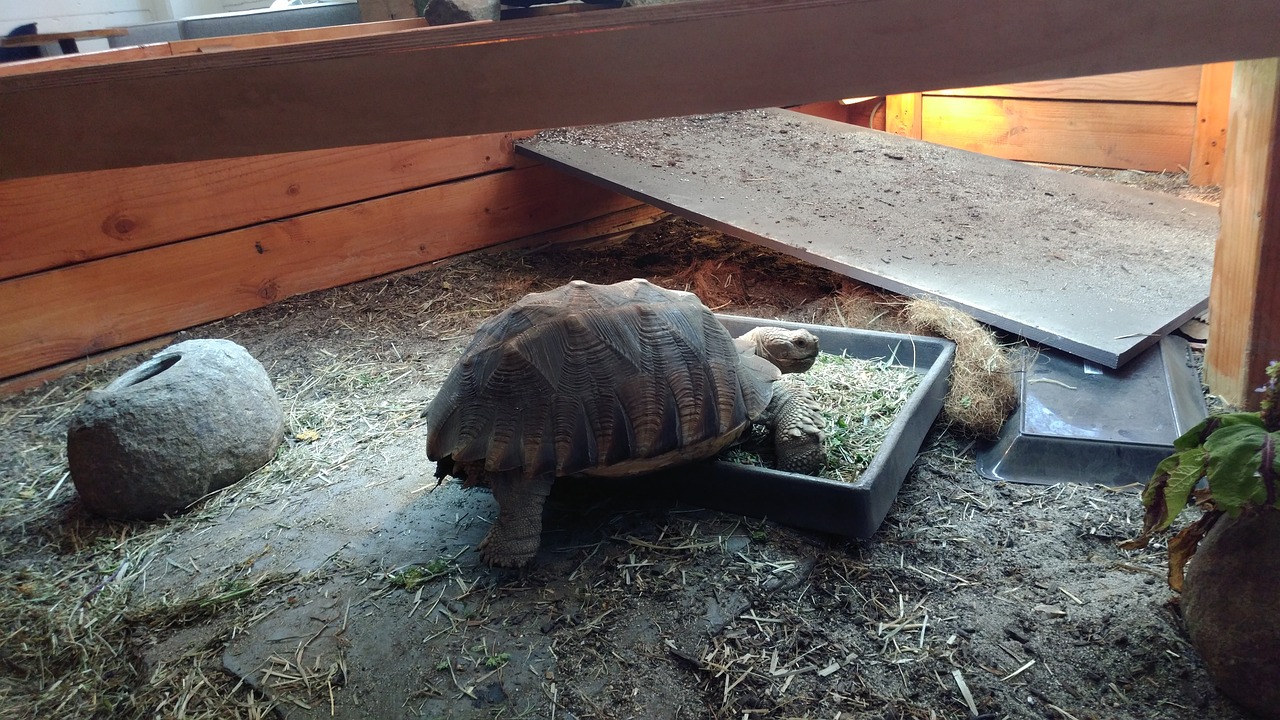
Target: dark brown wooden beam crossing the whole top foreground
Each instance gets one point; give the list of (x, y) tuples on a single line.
[(632, 63)]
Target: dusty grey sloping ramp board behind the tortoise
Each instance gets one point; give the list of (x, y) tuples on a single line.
[(1090, 268)]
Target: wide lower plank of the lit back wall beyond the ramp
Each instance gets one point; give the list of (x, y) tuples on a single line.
[(1135, 136)]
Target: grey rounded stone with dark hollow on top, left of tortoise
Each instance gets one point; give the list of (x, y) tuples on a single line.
[(196, 418)]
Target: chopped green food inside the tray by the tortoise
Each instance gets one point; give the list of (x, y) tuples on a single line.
[(861, 400)]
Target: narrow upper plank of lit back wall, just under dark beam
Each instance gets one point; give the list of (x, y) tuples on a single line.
[(1164, 85)]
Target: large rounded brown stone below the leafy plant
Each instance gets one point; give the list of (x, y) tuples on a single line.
[(1229, 603)]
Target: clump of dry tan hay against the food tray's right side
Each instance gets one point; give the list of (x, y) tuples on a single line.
[(984, 391)]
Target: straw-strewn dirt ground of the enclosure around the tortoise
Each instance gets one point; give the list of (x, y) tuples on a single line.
[(342, 581)]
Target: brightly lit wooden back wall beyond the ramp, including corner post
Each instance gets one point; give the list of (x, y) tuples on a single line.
[(1171, 120)]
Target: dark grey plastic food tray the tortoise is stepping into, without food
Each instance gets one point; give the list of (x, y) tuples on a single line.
[(853, 509)]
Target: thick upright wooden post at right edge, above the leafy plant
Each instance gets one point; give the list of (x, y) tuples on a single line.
[(1245, 300)]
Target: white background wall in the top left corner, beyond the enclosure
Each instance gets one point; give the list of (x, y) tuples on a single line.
[(65, 16)]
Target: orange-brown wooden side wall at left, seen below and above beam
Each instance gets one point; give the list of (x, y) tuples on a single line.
[(103, 259)]
